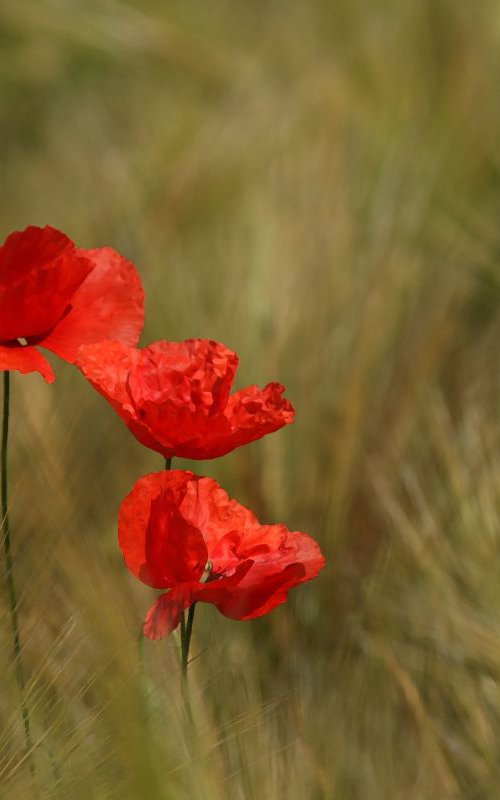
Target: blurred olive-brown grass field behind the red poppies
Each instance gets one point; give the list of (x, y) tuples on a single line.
[(317, 185)]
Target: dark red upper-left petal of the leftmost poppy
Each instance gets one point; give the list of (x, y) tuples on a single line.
[(40, 271)]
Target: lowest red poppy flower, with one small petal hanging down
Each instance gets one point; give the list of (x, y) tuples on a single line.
[(181, 532)]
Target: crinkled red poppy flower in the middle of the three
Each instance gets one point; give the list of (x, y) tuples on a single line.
[(175, 396)]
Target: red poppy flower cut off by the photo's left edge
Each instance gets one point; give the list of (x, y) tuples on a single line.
[(57, 296)]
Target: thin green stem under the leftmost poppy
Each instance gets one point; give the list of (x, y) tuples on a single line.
[(11, 586)]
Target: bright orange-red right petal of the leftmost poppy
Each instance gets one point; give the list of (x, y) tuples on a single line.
[(109, 305)]
